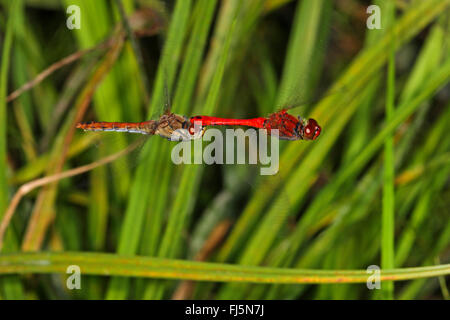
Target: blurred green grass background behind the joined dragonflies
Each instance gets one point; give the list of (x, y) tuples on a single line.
[(372, 190)]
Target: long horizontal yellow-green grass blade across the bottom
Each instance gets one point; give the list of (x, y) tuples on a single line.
[(118, 265)]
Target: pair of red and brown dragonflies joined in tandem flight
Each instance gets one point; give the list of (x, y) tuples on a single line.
[(179, 128)]
